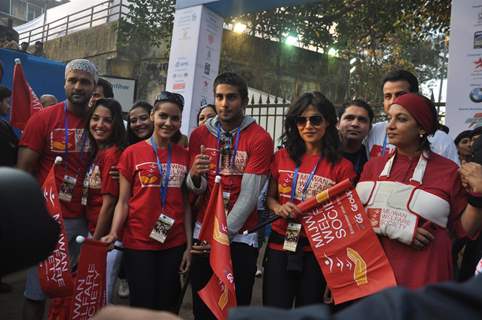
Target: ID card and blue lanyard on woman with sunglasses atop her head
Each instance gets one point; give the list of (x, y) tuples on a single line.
[(164, 223)]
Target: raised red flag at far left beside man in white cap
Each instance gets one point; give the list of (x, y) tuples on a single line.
[(24, 101)]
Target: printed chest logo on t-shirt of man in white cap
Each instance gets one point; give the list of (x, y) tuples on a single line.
[(75, 140)]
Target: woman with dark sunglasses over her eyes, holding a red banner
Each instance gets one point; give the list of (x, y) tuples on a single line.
[(309, 163)]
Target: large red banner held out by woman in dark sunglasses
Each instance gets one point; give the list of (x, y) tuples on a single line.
[(346, 248)]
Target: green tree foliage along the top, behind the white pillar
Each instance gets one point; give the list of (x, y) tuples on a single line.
[(380, 34)]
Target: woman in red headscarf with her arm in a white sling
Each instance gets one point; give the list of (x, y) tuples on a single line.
[(414, 197)]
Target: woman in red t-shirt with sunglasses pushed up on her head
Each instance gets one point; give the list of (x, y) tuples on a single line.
[(153, 211)]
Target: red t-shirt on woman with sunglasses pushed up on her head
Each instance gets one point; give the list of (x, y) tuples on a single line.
[(139, 166)]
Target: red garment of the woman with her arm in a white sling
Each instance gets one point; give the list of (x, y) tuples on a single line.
[(417, 268)]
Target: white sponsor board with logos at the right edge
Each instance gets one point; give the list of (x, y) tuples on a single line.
[(464, 89)]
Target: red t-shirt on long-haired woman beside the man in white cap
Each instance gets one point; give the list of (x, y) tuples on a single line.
[(101, 183)]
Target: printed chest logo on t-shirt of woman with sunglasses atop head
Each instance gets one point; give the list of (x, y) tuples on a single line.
[(148, 174)]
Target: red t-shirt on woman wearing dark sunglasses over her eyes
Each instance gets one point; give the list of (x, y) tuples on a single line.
[(326, 175)]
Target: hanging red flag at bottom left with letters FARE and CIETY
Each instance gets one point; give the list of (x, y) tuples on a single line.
[(89, 292)]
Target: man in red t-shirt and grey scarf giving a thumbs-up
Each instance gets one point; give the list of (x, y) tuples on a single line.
[(233, 146)]
